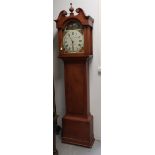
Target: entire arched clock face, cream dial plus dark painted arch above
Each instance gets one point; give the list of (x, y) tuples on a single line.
[(73, 39)]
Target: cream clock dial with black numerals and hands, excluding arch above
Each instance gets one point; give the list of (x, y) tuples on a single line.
[(73, 41)]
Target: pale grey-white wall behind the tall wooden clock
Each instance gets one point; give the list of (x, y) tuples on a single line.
[(91, 8)]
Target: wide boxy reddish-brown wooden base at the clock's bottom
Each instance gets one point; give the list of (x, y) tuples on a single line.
[(78, 130)]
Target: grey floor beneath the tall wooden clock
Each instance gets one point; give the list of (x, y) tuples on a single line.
[(66, 149)]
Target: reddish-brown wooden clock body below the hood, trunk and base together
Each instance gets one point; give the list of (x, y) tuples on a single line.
[(78, 122)]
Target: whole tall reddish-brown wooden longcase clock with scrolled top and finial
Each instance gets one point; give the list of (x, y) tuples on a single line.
[(75, 49)]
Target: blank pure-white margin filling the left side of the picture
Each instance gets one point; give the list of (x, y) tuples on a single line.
[(26, 77)]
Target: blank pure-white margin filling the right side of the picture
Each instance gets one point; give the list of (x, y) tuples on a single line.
[(128, 77)]
